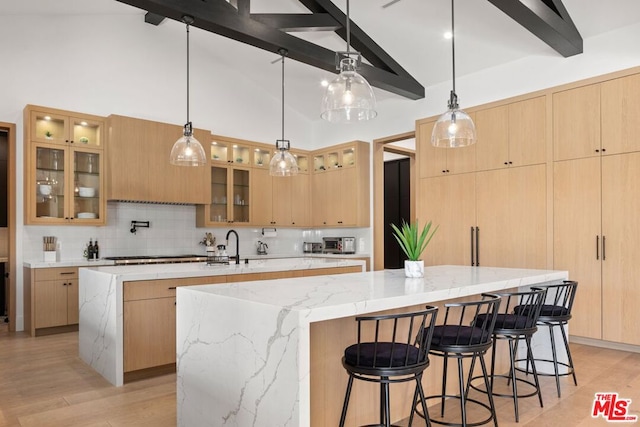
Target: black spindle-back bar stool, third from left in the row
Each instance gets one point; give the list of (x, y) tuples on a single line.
[(516, 321)]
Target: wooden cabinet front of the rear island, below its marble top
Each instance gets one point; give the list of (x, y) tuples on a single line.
[(150, 316)]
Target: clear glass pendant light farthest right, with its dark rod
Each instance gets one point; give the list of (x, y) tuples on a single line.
[(454, 128)]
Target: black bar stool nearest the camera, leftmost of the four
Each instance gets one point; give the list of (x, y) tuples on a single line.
[(391, 348)]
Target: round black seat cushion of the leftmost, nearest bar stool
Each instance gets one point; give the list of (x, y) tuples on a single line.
[(382, 355)]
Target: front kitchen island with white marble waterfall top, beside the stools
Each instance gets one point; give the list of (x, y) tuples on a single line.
[(252, 355)]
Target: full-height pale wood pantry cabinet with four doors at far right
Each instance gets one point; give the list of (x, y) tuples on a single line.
[(596, 204)]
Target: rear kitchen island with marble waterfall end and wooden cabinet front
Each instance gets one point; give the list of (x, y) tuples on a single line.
[(140, 299)]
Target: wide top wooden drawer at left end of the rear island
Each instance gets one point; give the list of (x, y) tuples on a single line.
[(146, 289)]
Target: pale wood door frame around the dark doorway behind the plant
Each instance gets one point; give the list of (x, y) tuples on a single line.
[(404, 145)]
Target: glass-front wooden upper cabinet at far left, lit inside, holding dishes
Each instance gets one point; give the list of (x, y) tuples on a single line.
[(64, 164)]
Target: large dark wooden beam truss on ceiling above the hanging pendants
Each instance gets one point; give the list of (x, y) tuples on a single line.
[(269, 32)]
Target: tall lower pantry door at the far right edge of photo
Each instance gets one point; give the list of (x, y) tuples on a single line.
[(621, 228)]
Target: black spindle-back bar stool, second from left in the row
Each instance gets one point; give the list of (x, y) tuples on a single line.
[(457, 339)]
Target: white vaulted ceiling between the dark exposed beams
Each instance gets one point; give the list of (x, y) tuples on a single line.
[(411, 31)]
